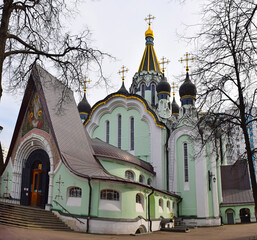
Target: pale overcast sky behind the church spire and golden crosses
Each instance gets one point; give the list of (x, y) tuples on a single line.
[(118, 28)]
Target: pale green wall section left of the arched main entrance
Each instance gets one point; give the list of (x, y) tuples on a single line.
[(6, 186)]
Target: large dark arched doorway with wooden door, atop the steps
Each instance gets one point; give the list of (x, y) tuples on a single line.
[(35, 179)]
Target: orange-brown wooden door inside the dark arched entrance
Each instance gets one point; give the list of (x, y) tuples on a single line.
[(36, 190)]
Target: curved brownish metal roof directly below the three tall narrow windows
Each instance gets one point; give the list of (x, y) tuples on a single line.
[(105, 150)]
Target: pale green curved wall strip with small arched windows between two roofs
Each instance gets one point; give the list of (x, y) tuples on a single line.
[(118, 169)]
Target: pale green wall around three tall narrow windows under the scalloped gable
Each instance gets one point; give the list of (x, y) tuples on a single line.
[(141, 131)]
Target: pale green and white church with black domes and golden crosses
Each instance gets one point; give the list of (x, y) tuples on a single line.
[(131, 163)]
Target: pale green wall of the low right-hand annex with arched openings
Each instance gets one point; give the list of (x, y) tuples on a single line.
[(236, 211)]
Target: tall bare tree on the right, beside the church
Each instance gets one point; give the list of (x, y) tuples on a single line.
[(227, 72)]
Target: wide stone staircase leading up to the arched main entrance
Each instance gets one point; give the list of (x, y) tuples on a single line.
[(28, 217)]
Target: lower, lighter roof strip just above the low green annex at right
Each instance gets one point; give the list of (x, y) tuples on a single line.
[(237, 197)]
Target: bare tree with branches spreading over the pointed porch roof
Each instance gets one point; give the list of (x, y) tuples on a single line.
[(32, 31)]
